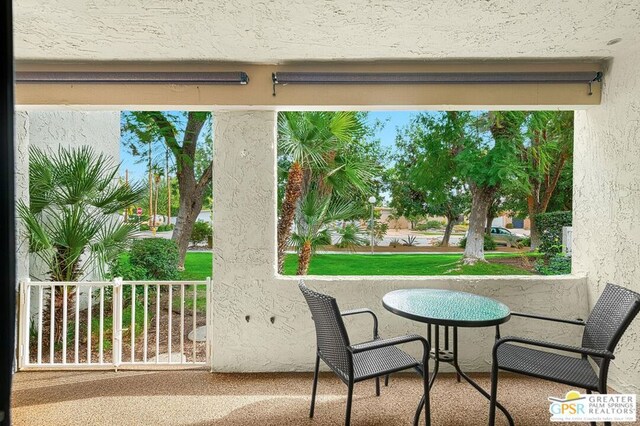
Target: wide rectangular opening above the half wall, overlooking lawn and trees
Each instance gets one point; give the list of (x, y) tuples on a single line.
[(425, 192)]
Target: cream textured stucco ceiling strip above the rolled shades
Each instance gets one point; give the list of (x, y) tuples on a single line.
[(281, 30)]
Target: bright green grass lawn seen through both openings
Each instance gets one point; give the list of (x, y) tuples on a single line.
[(198, 265)]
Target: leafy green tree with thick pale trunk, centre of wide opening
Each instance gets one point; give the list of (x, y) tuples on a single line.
[(477, 156)]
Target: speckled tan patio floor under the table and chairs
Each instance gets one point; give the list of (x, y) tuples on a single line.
[(197, 397)]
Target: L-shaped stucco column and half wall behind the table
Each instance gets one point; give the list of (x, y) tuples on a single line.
[(261, 322)]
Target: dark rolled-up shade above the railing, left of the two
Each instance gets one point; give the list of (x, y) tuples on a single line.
[(52, 77)]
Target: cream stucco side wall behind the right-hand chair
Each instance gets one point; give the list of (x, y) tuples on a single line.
[(606, 227)]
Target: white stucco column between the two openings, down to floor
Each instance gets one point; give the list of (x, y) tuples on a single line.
[(244, 191)]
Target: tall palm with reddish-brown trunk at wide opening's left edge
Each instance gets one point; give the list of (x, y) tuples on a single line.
[(312, 142)]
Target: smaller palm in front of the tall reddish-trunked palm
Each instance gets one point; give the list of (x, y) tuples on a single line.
[(313, 225)]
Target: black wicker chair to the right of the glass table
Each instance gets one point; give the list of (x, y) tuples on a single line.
[(610, 317)]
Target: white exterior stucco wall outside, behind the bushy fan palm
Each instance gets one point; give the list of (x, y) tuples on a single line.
[(47, 130)]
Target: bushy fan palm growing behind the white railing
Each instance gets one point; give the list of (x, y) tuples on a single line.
[(71, 221)]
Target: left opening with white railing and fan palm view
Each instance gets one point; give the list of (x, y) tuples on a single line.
[(115, 235)]
